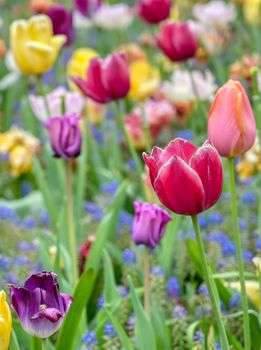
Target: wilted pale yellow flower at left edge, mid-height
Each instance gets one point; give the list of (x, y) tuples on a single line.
[(20, 147)]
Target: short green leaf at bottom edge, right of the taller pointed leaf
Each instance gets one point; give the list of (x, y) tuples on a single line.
[(162, 332)]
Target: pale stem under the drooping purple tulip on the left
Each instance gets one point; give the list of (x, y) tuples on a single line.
[(70, 222)]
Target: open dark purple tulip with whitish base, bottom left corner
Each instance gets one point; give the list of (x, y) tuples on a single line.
[(39, 305)]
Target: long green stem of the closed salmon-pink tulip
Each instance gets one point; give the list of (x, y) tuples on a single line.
[(247, 339)]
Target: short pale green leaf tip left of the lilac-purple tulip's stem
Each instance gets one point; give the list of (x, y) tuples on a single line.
[(110, 289)]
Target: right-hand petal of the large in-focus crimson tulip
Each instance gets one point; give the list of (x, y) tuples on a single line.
[(207, 163)]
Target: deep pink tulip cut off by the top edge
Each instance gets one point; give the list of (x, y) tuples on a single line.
[(154, 11)]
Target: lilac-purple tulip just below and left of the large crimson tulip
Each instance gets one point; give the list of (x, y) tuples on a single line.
[(149, 224)]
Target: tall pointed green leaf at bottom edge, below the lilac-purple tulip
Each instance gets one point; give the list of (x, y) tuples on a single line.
[(143, 330)]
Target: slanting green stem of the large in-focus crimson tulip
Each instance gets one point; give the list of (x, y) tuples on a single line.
[(210, 285)]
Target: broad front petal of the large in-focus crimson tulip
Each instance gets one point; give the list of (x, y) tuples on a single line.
[(179, 187)]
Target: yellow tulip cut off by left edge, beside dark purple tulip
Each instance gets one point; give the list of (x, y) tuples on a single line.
[(5, 322)]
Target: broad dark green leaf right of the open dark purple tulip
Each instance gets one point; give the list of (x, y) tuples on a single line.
[(69, 331)]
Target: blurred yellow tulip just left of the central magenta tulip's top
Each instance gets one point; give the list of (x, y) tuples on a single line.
[(79, 62)]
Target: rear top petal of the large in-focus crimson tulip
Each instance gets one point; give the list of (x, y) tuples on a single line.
[(180, 148)]
